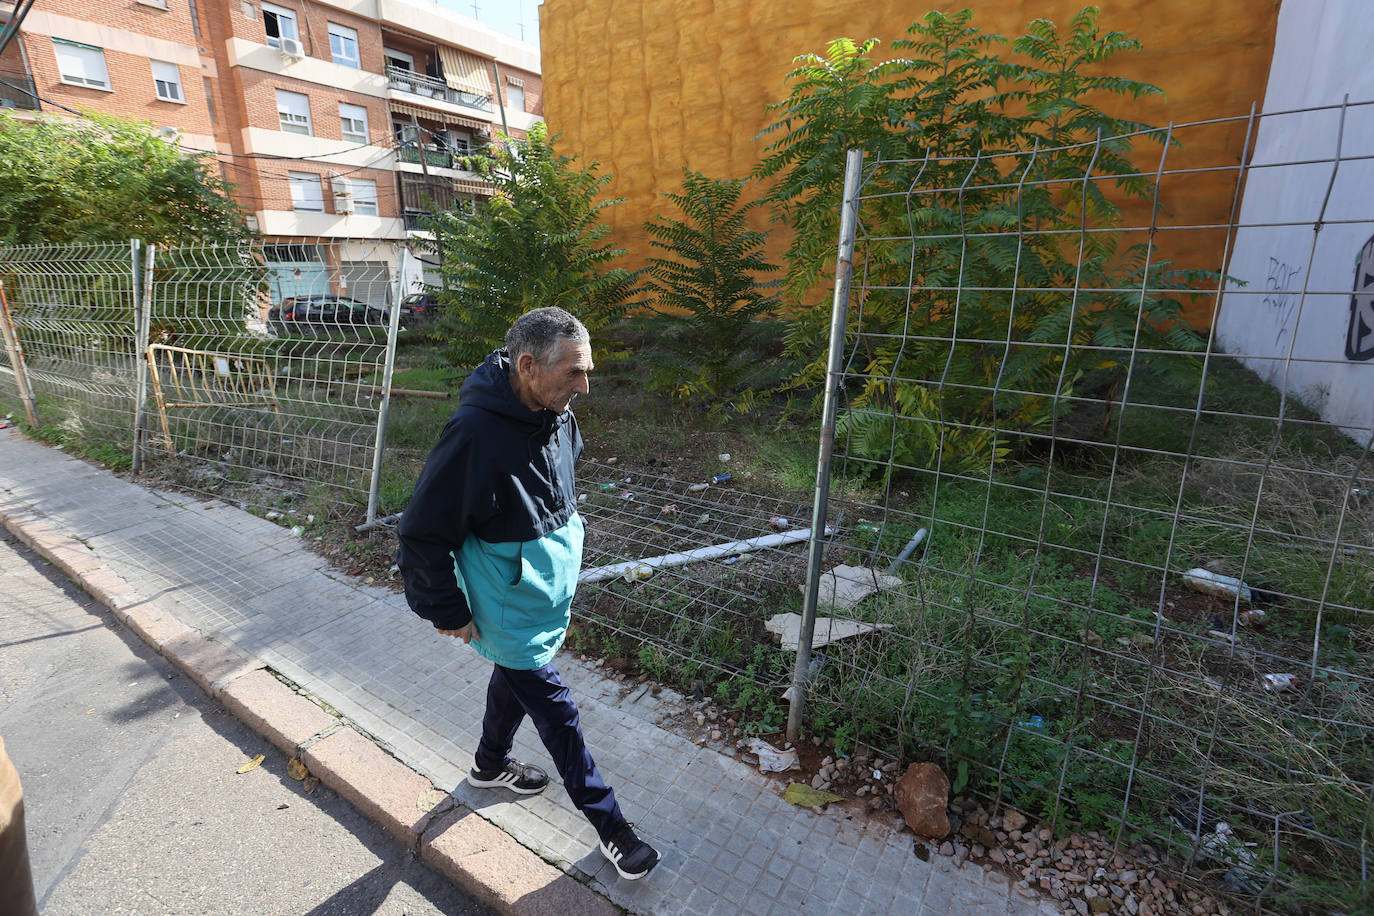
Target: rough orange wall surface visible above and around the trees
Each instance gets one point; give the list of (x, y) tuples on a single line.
[(646, 89)]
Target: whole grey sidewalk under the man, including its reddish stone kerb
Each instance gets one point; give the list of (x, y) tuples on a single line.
[(226, 595)]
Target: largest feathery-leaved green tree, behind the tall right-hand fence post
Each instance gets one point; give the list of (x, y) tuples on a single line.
[(997, 285)]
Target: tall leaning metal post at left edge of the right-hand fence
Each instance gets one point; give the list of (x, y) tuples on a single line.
[(839, 315)]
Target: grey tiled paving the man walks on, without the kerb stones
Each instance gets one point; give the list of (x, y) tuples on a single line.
[(730, 843)]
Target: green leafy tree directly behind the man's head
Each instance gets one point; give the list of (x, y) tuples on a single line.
[(539, 242)]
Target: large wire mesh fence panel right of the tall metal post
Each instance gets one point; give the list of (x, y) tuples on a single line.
[(1144, 598)]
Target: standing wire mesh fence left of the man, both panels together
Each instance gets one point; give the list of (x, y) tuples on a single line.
[(264, 365)]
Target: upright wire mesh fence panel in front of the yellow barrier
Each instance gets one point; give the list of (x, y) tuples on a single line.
[(267, 366)]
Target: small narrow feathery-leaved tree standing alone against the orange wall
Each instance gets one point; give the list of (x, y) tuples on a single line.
[(710, 292)]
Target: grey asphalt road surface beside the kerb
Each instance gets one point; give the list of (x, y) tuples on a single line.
[(133, 797)]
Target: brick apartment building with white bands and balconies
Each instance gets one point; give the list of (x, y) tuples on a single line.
[(335, 120)]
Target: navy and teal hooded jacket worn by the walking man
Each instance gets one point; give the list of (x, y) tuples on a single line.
[(493, 534)]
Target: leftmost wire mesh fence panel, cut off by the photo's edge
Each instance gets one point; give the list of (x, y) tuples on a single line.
[(72, 310)]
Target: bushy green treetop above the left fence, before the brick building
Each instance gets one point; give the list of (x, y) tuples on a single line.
[(105, 179)]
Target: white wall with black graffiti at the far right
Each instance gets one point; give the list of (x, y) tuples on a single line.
[(1292, 319)]
